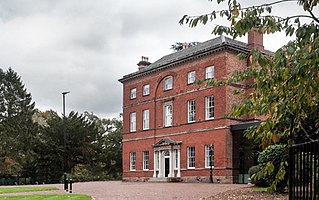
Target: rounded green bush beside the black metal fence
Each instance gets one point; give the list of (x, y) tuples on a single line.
[(272, 164)]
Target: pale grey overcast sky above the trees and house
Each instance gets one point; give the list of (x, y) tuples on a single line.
[(85, 46)]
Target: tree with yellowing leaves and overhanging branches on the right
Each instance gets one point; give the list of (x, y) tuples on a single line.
[(286, 84)]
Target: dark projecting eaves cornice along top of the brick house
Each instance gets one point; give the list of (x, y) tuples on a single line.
[(220, 47)]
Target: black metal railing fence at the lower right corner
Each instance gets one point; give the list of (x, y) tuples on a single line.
[(304, 171)]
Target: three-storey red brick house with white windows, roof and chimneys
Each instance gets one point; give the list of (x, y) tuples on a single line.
[(173, 127)]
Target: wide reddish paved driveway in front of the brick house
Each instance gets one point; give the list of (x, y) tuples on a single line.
[(116, 190)]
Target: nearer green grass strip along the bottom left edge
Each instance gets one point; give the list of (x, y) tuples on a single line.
[(48, 197)]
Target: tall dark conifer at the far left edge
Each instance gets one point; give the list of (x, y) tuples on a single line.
[(16, 126)]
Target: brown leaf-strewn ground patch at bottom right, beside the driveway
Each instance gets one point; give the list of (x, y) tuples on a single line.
[(247, 194)]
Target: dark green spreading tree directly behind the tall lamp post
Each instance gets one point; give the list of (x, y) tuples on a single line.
[(81, 136)]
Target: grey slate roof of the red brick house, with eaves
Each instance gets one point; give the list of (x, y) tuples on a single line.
[(204, 48)]
